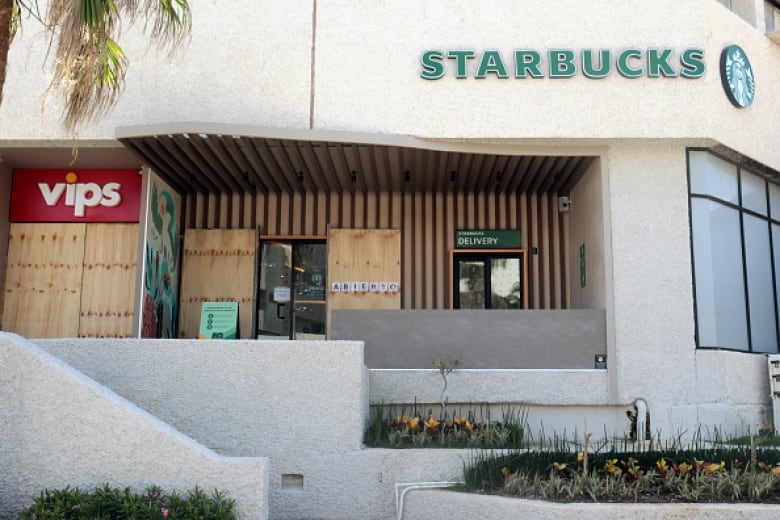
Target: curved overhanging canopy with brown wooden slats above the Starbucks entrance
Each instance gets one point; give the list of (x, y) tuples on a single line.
[(208, 158)]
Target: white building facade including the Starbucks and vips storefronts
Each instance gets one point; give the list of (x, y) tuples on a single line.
[(515, 185)]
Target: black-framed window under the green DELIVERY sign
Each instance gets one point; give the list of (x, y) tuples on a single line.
[(486, 280)]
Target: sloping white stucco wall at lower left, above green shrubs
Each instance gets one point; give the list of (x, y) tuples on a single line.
[(59, 428)]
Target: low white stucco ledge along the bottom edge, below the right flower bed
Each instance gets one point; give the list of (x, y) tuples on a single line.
[(424, 504)]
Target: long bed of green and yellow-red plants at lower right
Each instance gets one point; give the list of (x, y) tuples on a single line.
[(697, 473)]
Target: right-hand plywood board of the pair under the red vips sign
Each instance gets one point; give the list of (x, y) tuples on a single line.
[(108, 287)]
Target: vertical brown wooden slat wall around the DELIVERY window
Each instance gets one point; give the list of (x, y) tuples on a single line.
[(428, 222)]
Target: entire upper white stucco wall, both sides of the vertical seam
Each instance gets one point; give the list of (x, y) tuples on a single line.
[(367, 78)]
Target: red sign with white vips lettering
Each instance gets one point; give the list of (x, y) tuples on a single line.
[(75, 196)]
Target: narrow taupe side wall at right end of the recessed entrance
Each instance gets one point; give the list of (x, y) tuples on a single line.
[(587, 227)]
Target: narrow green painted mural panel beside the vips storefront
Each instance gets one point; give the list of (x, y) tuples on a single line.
[(161, 264)]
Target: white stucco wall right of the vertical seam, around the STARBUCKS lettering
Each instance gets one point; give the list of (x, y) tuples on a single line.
[(378, 67)]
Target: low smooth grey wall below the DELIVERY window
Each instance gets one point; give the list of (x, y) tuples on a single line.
[(477, 339)]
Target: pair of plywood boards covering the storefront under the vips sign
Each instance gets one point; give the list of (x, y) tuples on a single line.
[(70, 280)]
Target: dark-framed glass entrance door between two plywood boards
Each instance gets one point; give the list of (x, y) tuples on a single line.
[(291, 295)]
